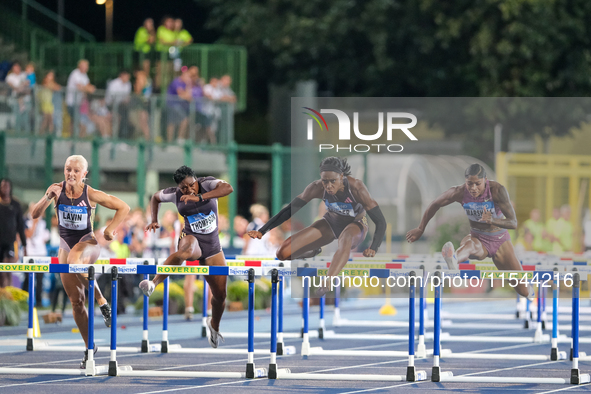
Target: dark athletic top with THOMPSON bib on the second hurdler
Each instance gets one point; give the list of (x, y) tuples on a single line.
[(200, 217)]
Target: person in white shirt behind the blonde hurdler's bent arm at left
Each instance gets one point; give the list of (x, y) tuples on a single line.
[(37, 236)]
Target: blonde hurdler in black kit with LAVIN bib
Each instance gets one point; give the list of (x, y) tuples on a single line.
[(75, 204)]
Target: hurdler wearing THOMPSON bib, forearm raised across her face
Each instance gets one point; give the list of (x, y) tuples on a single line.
[(196, 200)]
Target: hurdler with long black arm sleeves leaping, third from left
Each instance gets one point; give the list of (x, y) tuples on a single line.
[(347, 200)]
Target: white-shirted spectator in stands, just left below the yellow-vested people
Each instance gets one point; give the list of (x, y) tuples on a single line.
[(117, 99)]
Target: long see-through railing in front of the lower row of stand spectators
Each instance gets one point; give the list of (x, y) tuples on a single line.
[(155, 118)]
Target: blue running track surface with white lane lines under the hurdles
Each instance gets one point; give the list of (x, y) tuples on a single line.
[(187, 334)]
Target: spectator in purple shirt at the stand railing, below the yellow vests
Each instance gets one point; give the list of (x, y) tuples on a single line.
[(179, 96)]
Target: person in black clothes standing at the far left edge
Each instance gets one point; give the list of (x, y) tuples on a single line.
[(11, 217)]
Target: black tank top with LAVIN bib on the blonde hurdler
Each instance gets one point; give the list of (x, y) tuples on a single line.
[(74, 216)]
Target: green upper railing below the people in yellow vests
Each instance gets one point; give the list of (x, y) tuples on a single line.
[(107, 60)]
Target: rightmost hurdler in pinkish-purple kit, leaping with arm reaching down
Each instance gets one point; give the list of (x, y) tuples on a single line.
[(490, 212)]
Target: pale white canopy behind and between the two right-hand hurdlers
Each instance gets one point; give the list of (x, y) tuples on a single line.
[(405, 185)]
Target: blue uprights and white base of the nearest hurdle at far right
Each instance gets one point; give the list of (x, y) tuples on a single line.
[(575, 376)]
